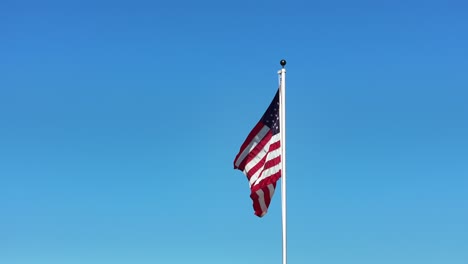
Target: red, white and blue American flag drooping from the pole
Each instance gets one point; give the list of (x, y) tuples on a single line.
[(260, 158)]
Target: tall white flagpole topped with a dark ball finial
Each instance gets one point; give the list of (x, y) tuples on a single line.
[(283, 152)]
